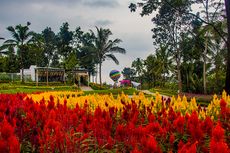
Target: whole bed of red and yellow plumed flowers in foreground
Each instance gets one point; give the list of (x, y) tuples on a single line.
[(66, 122)]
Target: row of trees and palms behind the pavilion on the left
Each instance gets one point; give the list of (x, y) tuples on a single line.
[(66, 49)]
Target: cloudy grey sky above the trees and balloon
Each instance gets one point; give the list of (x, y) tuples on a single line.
[(131, 28)]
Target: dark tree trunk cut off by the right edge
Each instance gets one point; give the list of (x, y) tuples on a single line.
[(227, 82)]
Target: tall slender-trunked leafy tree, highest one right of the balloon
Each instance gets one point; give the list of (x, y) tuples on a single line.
[(170, 24)]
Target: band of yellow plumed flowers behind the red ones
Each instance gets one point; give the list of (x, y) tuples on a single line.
[(106, 101)]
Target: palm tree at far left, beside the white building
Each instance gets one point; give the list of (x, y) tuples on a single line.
[(21, 37)]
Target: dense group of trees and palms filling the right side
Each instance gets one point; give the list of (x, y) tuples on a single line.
[(192, 48)]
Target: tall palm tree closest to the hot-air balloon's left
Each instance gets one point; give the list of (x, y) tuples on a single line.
[(104, 47)]
